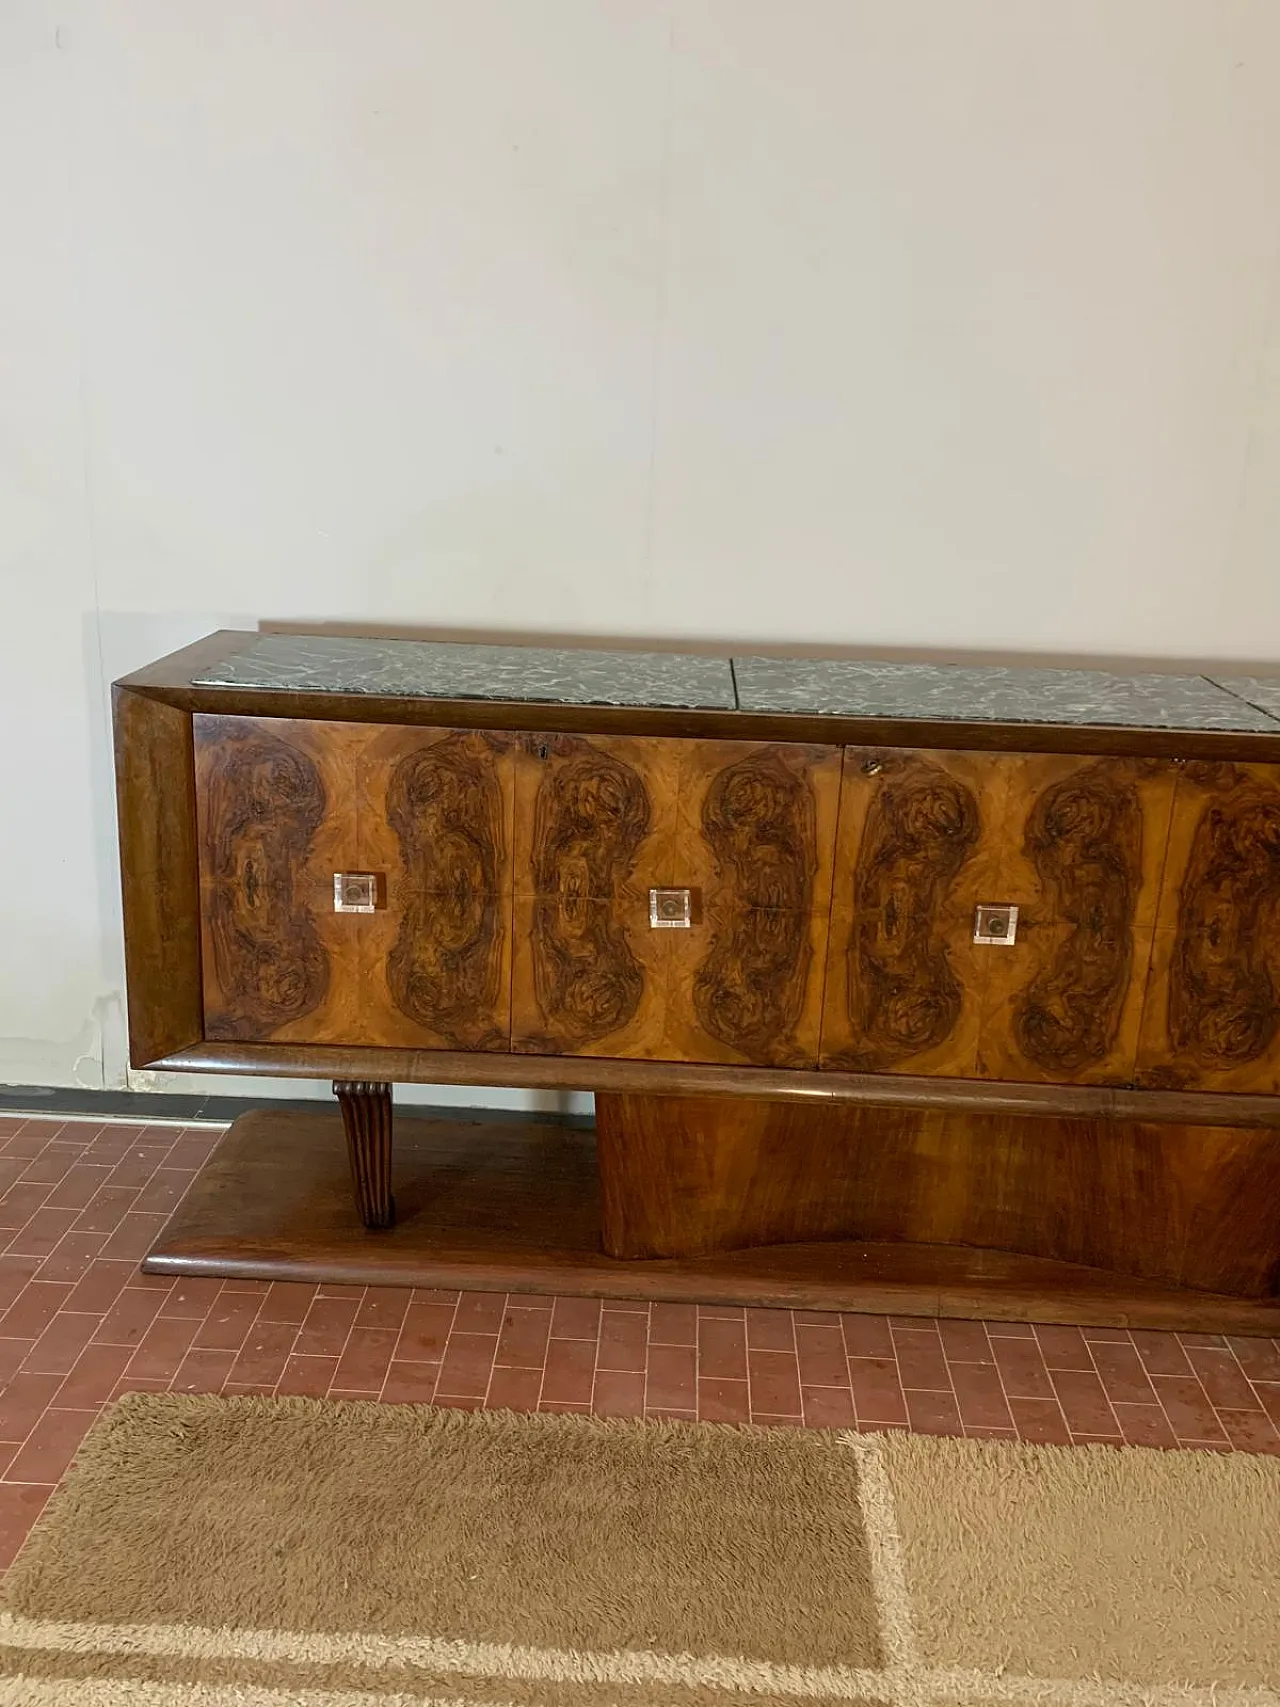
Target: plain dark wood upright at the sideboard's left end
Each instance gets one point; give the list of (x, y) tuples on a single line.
[(160, 875)]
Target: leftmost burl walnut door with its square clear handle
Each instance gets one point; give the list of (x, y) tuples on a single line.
[(417, 820)]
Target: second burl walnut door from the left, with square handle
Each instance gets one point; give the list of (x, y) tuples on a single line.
[(672, 899)]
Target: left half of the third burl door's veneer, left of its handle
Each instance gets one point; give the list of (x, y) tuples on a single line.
[(912, 865)]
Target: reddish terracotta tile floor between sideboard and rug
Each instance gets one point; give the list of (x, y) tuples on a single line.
[(79, 1325)]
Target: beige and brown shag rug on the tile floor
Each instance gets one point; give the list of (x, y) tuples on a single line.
[(305, 1554)]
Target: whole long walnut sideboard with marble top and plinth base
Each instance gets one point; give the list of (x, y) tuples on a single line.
[(941, 991)]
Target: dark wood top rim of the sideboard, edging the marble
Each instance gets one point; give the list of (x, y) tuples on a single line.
[(170, 682)]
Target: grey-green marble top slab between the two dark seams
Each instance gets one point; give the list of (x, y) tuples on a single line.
[(963, 694)]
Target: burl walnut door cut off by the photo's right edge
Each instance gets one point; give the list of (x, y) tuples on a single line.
[(1213, 1017)]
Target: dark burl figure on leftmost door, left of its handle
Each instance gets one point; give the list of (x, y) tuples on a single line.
[(262, 801)]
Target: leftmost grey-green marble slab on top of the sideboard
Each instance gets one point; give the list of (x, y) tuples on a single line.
[(441, 672)]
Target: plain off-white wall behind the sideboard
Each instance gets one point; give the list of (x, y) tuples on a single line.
[(934, 325)]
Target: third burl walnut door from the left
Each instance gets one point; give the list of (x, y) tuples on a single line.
[(928, 837)]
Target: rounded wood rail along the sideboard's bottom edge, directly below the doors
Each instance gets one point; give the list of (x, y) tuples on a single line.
[(585, 1073)]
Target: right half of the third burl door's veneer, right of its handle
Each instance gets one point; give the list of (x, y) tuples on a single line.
[(1081, 851)]
